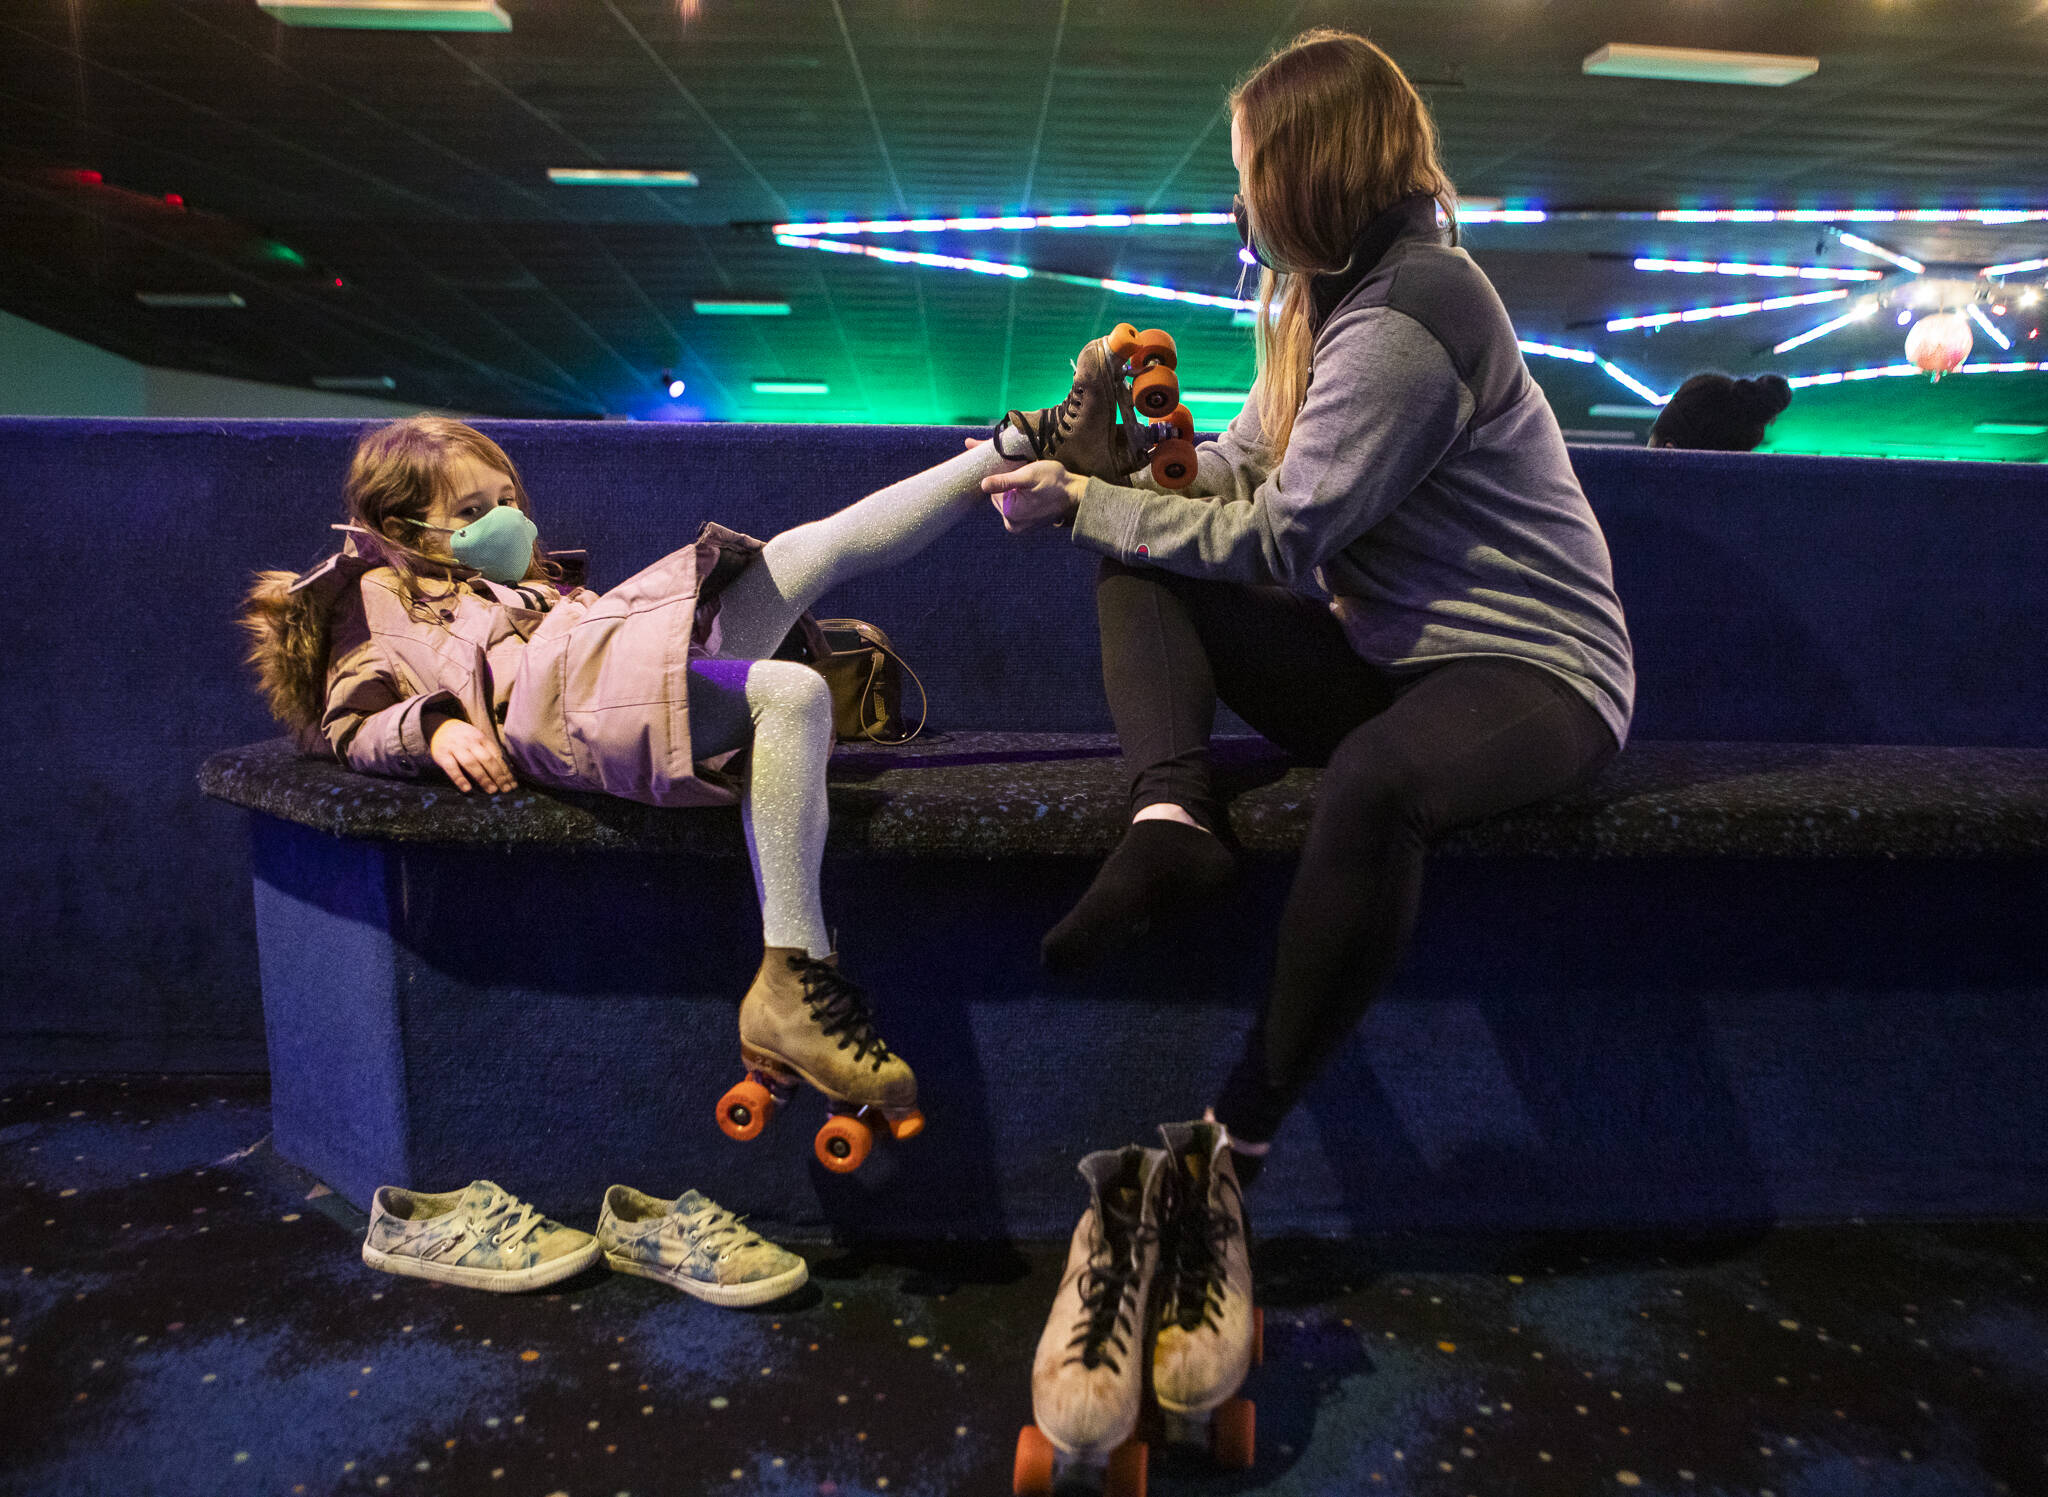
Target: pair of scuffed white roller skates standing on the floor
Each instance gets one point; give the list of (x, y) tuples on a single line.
[(1154, 1330)]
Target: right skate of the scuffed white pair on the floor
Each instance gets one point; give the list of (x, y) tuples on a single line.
[(1209, 1332)]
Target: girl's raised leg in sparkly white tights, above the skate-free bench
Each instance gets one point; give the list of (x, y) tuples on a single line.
[(888, 527)]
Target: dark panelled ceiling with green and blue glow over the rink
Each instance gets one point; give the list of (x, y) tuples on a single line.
[(380, 200)]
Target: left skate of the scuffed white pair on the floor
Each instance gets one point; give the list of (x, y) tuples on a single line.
[(1089, 1379)]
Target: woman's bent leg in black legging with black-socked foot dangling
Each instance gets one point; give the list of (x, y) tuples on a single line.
[(1168, 646)]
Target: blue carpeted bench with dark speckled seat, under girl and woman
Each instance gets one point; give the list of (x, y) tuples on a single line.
[(1695, 992)]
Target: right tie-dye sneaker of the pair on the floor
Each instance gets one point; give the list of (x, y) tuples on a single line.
[(695, 1246)]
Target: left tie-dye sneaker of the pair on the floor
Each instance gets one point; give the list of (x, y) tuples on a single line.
[(478, 1238)]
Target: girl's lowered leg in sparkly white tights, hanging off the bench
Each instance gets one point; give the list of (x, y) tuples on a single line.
[(785, 712)]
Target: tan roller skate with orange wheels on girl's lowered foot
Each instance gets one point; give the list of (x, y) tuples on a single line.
[(806, 1021)]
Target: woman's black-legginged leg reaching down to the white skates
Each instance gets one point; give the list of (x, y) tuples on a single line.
[(1465, 742)]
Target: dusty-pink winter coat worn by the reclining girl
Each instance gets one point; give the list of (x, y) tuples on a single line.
[(589, 695)]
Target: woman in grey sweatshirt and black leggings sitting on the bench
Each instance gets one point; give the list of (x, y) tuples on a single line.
[(1385, 566)]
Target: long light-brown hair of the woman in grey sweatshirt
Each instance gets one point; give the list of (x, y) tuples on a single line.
[(1334, 134)]
